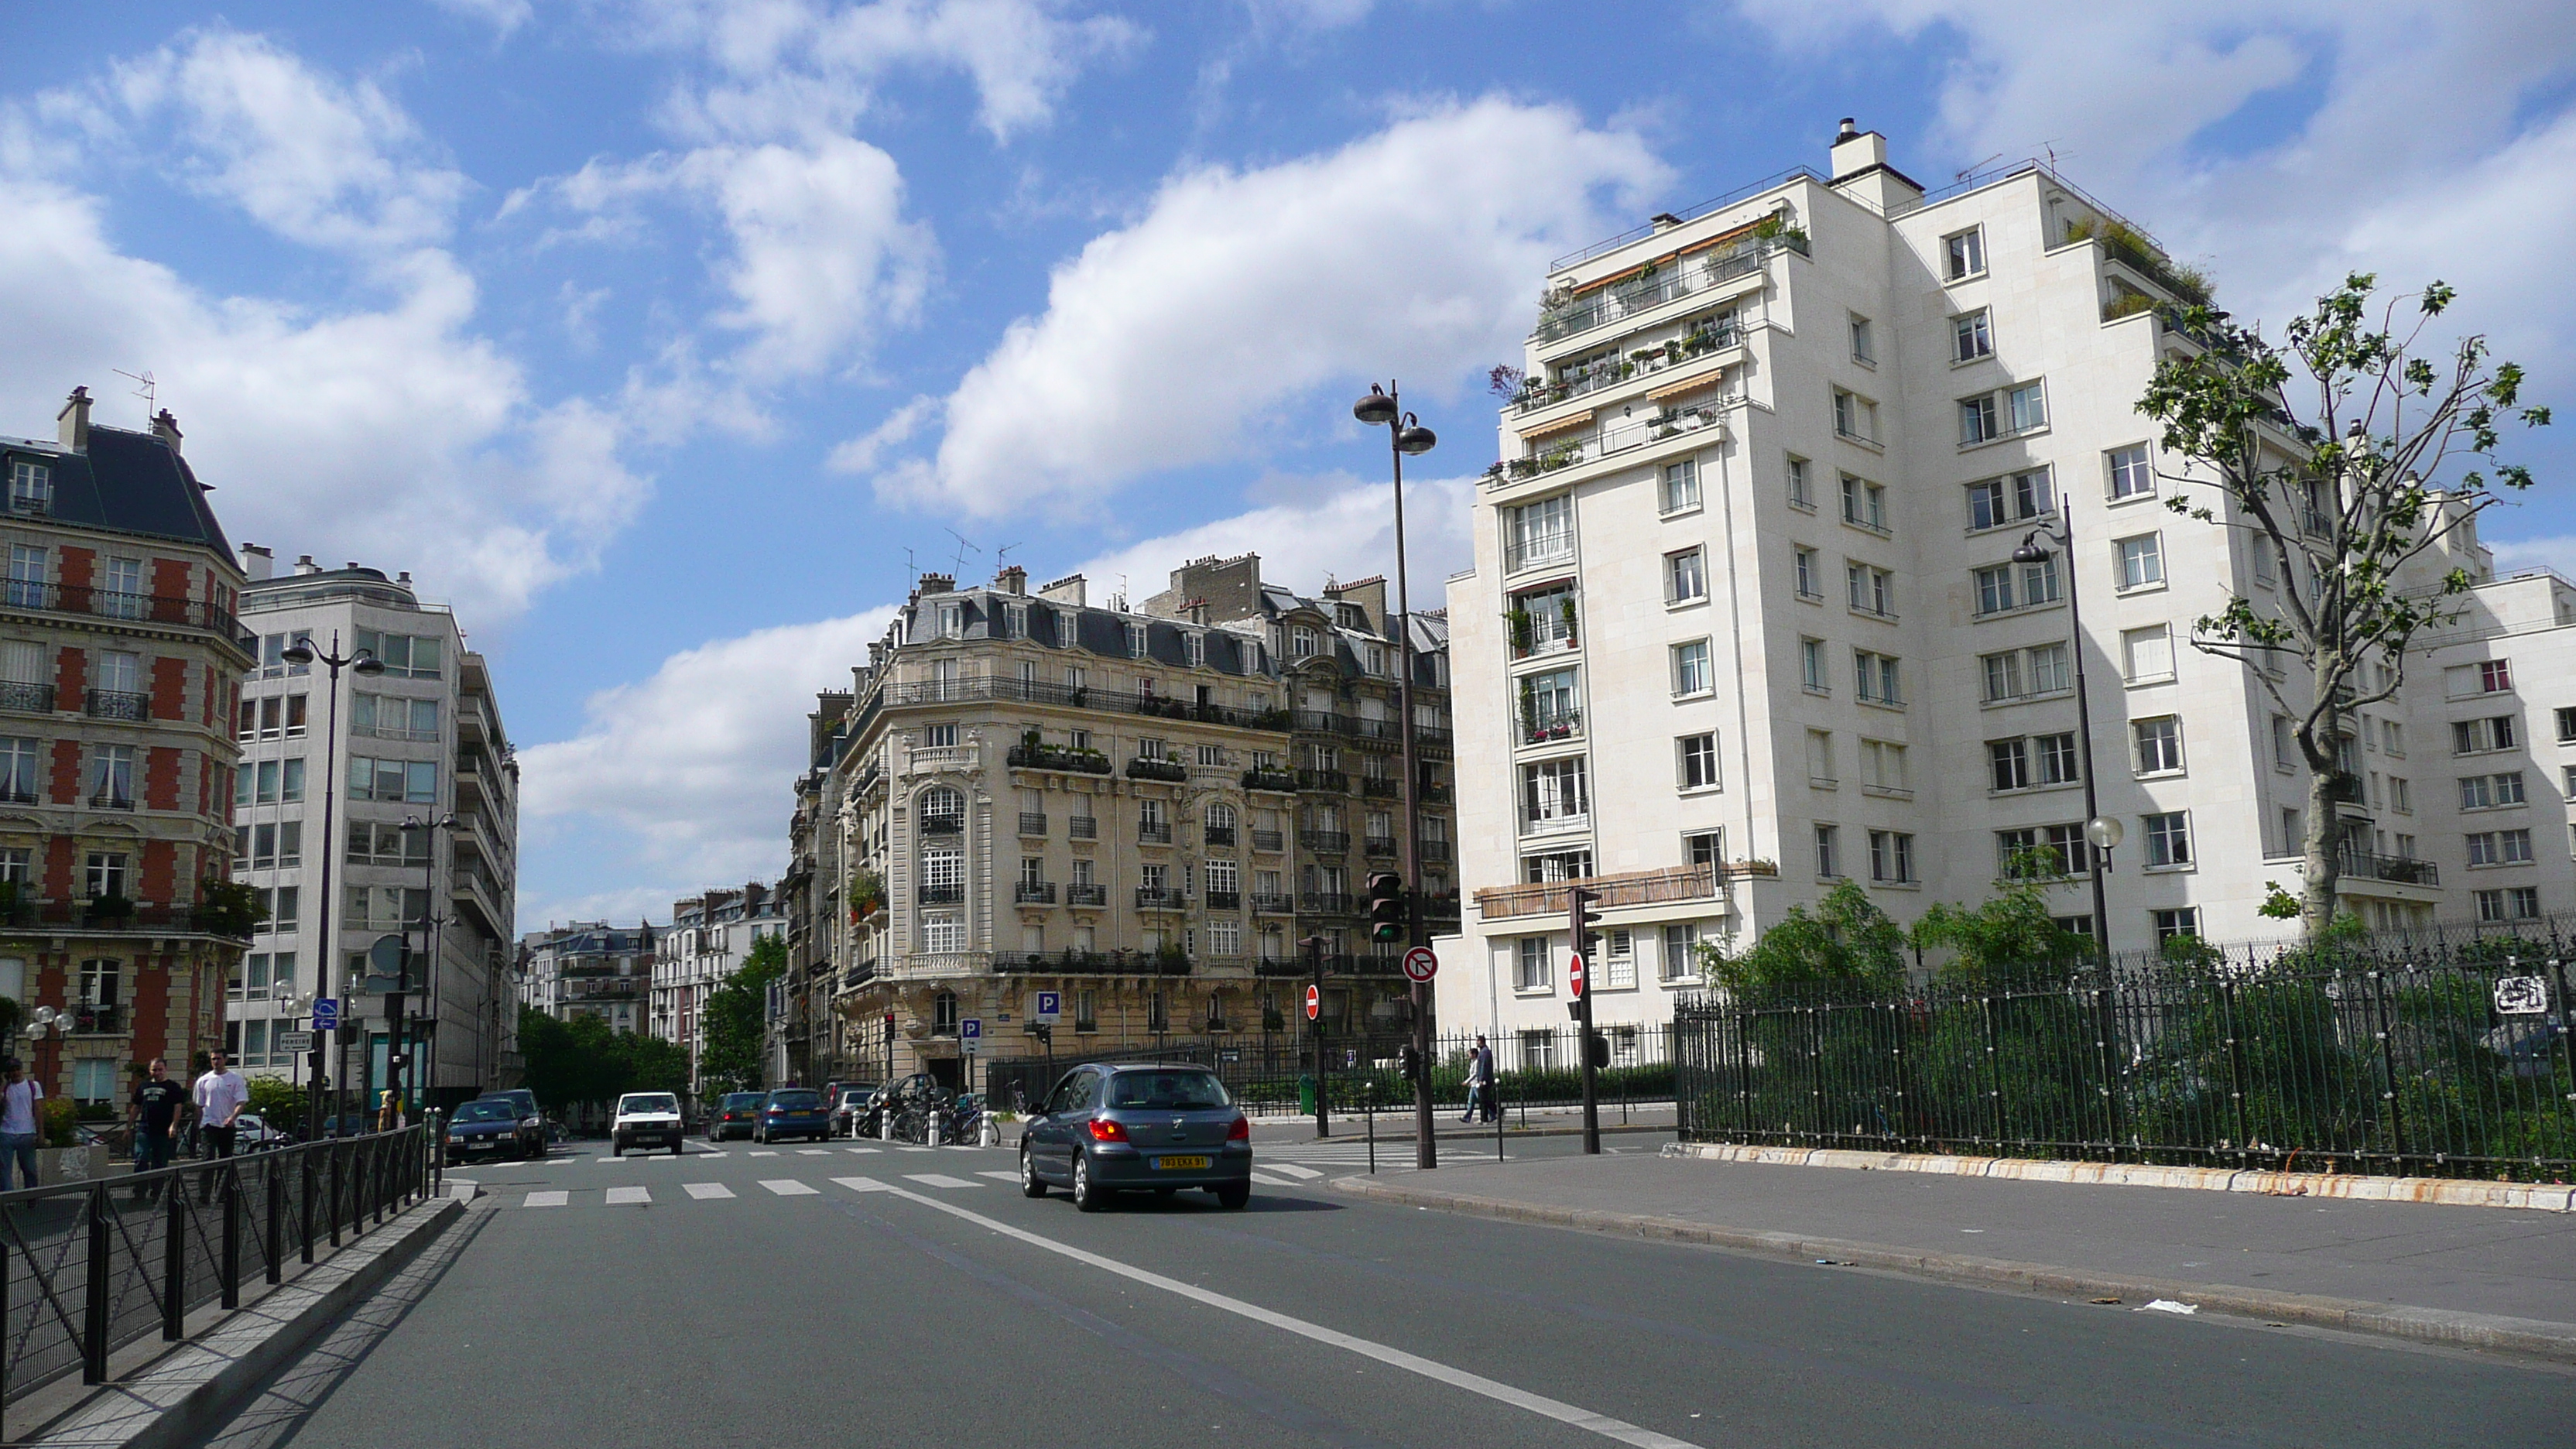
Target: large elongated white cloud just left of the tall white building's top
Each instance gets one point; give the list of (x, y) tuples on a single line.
[(1413, 254)]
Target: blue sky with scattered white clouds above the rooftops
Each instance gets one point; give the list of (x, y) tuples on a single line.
[(656, 334)]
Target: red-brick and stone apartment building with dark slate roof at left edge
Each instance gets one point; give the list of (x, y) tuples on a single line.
[(120, 666)]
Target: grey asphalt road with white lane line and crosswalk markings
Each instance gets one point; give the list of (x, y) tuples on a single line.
[(908, 1296)]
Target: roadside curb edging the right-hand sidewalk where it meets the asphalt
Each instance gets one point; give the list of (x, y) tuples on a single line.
[(2353, 1316)]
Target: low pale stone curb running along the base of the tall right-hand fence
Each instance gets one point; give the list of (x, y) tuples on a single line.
[(2443, 1192)]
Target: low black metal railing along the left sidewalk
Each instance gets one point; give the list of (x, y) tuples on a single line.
[(94, 1267)]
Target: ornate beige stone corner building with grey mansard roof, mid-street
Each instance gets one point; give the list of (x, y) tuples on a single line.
[(1142, 808)]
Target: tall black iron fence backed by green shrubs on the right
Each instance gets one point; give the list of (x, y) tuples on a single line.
[(2433, 1053)]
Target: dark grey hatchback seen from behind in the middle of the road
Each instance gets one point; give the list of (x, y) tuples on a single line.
[(1114, 1128)]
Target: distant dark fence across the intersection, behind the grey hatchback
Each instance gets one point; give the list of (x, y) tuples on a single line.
[(1266, 1071)]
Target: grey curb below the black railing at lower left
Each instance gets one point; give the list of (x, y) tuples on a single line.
[(189, 1391)]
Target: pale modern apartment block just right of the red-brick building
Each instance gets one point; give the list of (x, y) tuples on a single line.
[(421, 741)]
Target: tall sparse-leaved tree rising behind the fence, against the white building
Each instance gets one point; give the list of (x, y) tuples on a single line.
[(2343, 504)]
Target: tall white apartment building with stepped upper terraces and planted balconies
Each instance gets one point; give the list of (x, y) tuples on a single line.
[(1745, 618)]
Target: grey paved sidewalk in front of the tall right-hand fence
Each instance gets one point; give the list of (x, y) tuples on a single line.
[(2456, 1275)]
